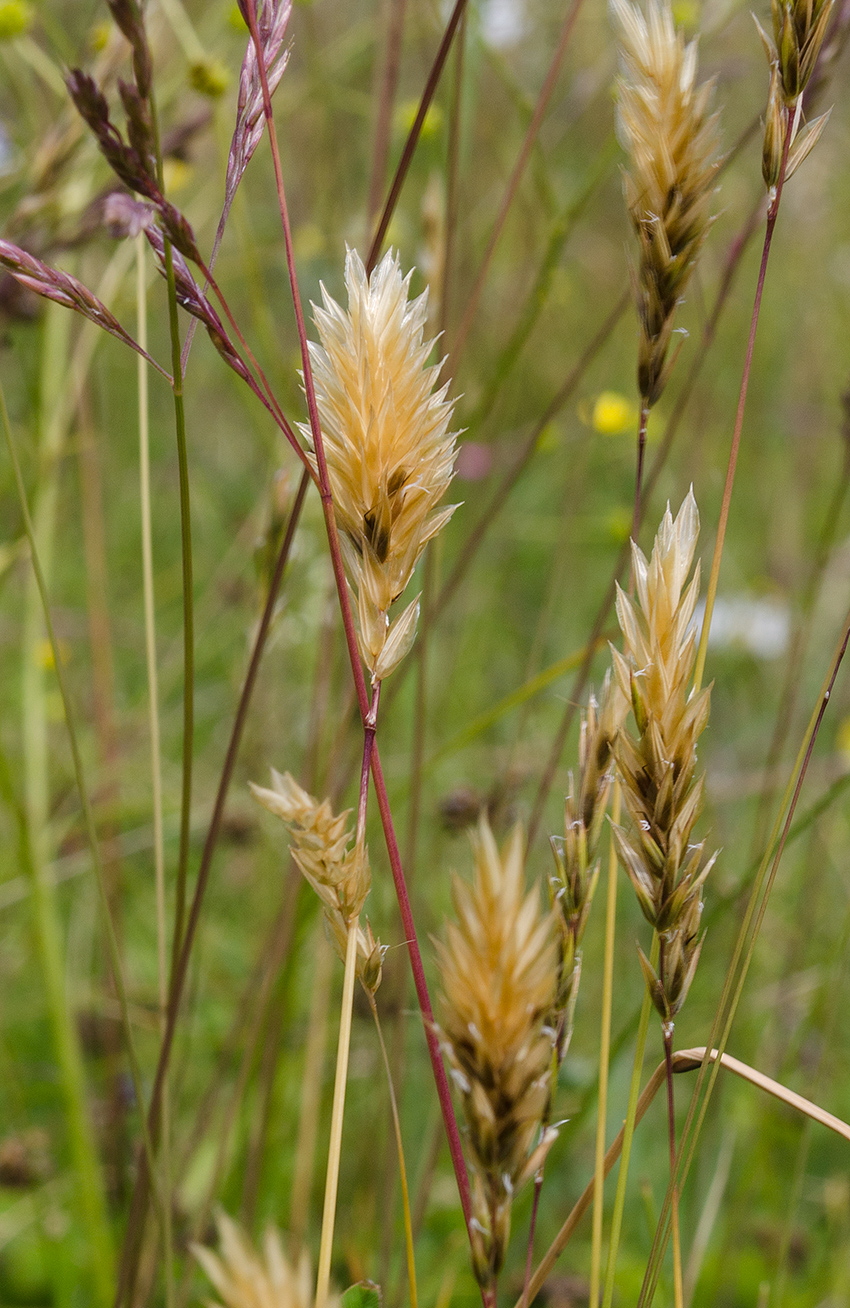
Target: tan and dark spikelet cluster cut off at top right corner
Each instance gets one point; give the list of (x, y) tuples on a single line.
[(800, 28)]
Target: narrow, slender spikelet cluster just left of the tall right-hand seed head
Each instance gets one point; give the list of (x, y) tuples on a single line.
[(576, 853)]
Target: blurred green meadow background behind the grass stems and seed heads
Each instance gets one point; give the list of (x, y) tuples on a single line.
[(768, 1205)]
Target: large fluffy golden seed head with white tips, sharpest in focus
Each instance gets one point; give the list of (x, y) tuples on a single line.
[(390, 456)]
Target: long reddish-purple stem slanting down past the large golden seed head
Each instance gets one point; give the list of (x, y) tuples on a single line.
[(360, 683)]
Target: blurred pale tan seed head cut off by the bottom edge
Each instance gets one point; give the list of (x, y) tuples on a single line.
[(245, 1279)]
